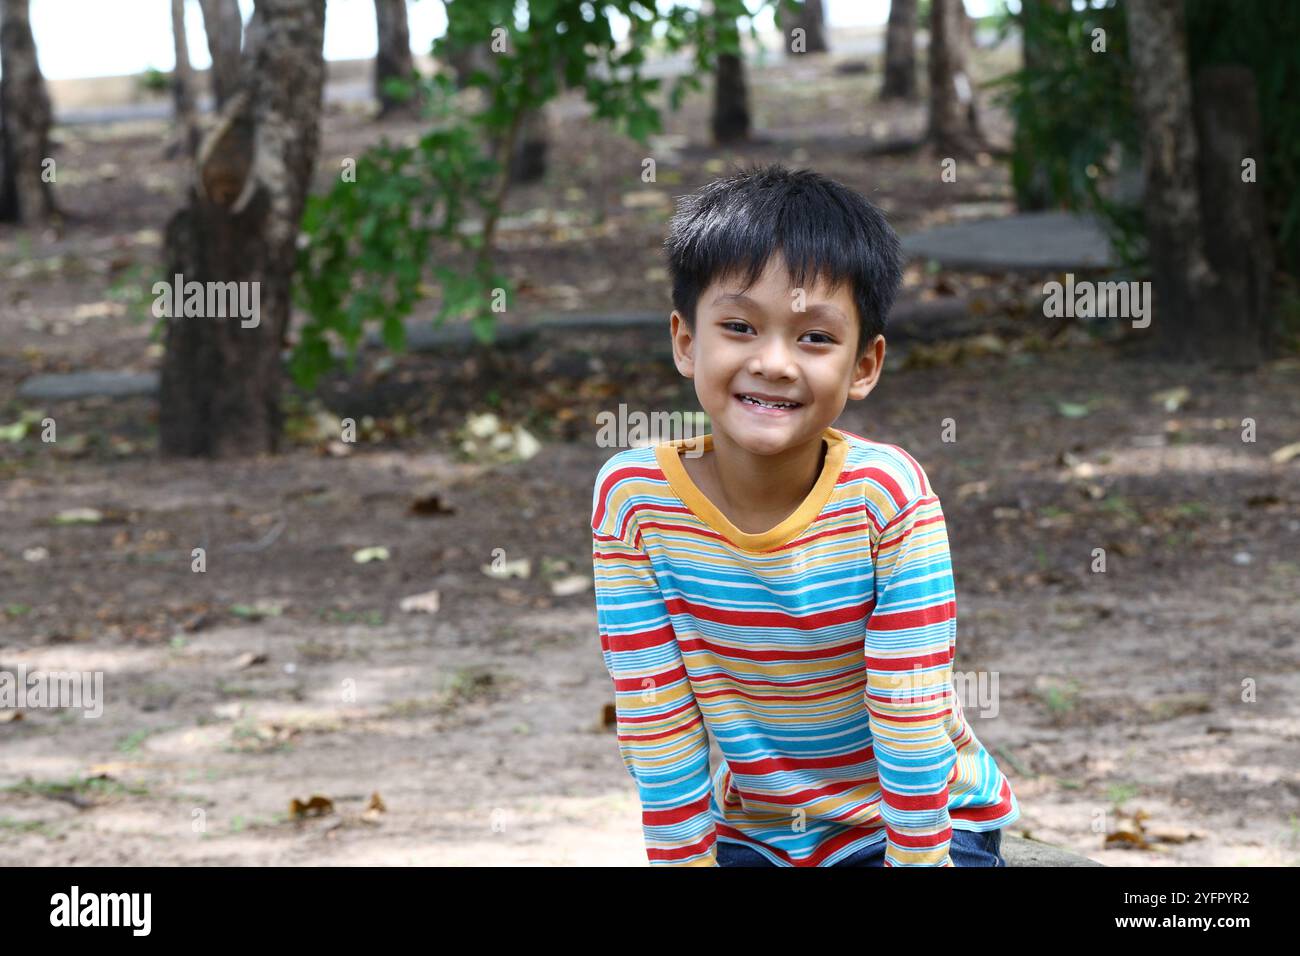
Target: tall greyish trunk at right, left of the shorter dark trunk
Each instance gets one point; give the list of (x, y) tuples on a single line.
[(1181, 275)]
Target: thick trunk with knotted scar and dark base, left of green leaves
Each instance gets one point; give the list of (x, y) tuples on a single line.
[(222, 377)]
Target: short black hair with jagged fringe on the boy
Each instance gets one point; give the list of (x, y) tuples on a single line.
[(824, 230)]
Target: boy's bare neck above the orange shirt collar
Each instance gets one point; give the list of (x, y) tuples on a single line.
[(762, 487)]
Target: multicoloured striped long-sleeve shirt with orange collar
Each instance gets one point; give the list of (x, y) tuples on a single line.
[(820, 655)]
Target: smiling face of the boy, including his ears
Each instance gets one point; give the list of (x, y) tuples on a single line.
[(759, 343)]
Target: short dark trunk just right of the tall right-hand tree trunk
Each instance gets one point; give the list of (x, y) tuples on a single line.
[(1238, 244)]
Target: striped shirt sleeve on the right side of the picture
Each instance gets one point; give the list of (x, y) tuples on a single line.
[(909, 655)]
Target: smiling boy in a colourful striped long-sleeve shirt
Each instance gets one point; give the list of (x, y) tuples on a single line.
[(791, 587)]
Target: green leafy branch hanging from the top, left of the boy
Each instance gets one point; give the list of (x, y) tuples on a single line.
[(370, 240)]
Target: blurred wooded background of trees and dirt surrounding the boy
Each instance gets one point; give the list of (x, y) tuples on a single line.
[(324, 535)]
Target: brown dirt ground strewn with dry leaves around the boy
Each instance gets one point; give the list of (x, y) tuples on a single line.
[(1156, 702)]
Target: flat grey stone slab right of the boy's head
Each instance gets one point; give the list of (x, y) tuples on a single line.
[(1029, 243)]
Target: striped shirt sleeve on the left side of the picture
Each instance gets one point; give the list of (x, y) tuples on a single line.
[(661, 730)]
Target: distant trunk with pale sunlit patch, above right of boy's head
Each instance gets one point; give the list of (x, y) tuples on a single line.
[(954, 131)]
